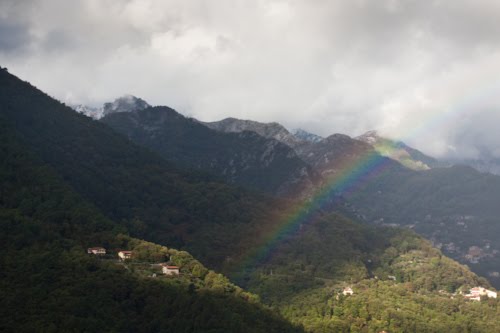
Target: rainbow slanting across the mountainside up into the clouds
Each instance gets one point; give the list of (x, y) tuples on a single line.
[(350, 177)]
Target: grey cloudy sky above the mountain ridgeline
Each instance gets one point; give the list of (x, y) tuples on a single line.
[(426, 72)]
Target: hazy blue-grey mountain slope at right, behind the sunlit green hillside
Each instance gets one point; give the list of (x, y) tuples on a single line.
[(455, 207)]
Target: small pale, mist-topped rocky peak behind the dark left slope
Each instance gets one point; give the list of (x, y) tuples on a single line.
[(126, 103)]
